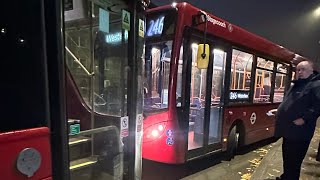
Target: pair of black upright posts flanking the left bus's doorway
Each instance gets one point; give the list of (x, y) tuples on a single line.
[(54, 39)]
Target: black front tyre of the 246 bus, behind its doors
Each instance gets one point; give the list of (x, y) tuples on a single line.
[(233, 141)]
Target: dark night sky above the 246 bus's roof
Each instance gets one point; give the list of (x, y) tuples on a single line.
[(290, 23)]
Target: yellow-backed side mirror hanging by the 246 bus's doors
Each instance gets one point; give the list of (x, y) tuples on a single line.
[(203, 56)]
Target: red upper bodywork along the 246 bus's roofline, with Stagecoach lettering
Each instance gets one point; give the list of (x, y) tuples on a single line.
[(236, 36)]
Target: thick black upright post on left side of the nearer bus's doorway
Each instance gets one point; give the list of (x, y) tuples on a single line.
[(56, 80)]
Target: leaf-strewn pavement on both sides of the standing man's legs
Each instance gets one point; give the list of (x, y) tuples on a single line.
[(270, 166)]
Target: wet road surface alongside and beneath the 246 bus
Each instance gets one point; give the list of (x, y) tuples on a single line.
[(212, 167)]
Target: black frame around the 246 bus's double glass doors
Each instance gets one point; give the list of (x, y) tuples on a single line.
[(214, 42)]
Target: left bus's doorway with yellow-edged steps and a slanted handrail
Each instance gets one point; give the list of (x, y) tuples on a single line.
[(103, 53)]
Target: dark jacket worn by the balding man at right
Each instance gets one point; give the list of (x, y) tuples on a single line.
[(301, 101)]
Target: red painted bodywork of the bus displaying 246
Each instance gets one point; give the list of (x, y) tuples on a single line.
[(157, 150)]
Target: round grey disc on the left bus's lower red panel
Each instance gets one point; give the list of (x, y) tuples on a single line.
[(29, 161)]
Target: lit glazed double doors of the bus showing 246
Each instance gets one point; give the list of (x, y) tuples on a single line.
[(205, 96)]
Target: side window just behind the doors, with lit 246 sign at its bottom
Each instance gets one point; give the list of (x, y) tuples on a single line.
[(240, 76)]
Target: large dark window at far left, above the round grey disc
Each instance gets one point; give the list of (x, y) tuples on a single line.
[(24, 98)]
